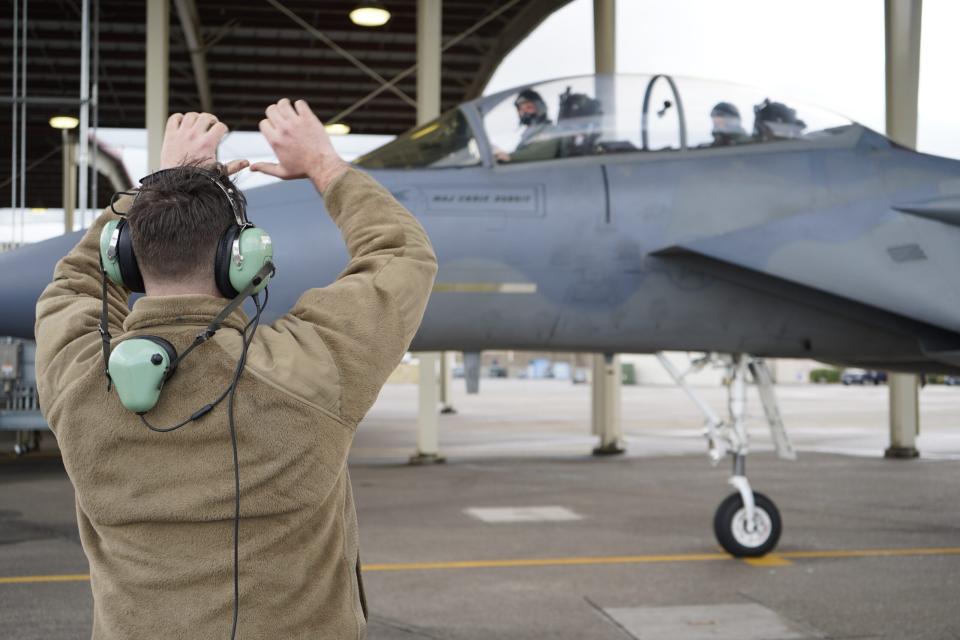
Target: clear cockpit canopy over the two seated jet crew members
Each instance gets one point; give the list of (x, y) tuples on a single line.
[(606, 114)]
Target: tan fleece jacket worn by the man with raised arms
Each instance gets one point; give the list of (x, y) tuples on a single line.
[(155, 510)]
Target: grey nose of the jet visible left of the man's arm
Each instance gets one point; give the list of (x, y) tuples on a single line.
[(24, 273)]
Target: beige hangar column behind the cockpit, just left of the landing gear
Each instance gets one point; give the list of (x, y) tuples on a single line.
[(605, 381)]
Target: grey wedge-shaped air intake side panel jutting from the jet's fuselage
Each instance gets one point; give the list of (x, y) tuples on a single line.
[(901, 262)]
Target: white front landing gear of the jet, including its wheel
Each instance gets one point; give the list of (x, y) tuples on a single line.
[(746, 524)]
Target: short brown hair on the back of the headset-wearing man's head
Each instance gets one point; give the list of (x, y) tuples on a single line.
[(177, 220)]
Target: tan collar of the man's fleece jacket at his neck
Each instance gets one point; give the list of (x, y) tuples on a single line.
[(192, 309)]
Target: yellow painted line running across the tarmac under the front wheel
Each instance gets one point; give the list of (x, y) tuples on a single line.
[(780, 559)]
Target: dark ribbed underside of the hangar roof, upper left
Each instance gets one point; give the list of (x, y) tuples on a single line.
[(255, 53)]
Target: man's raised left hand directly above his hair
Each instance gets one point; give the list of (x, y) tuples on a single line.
[(194, 138)]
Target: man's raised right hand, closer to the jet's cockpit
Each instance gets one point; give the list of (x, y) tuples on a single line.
[(301, 143)]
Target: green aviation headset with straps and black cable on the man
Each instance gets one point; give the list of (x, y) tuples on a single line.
[(140, 366)]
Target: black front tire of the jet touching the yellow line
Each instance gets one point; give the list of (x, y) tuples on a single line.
[(740, 544)]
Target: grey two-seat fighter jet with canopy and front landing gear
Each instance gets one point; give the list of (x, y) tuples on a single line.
[(636, 214)]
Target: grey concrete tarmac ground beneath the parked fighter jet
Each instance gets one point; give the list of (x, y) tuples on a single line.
[(871, 547)]
